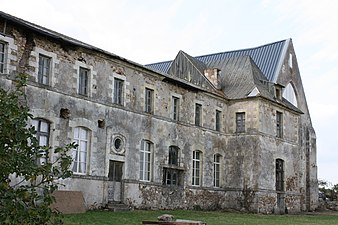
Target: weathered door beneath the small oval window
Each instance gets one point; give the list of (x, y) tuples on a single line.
[(114, 181)]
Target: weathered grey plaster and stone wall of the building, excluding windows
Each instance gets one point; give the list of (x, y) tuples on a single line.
[(247, 159)]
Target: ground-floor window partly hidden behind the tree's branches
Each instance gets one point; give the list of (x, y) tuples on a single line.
[(41, 127)]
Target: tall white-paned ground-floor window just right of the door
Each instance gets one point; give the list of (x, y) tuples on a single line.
[(145, 161)]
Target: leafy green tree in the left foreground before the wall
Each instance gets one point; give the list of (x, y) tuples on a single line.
[(26, 186)]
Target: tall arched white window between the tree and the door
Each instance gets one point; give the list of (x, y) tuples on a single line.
[(80, 153)]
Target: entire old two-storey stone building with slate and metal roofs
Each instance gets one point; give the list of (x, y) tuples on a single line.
[(225, 130)]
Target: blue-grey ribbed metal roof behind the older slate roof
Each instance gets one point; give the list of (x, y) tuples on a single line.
[(266, 57)]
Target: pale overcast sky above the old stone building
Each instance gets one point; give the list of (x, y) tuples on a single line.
[(150, 31)]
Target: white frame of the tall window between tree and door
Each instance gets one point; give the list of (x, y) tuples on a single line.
[(76, 153)]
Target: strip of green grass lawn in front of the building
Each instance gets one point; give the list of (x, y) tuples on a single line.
[(211, 218)]
